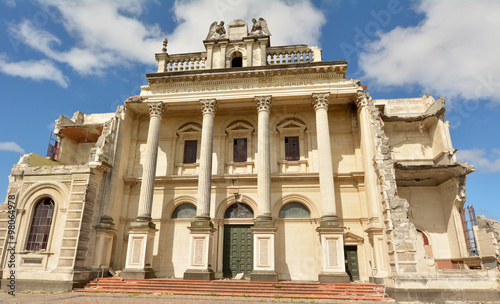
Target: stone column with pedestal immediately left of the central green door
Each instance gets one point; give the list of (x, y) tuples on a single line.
[(201, 230)]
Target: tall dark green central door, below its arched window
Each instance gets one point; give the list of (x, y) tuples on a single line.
[(238, 250)]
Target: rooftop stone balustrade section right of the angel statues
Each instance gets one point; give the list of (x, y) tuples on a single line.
[(293, 54)]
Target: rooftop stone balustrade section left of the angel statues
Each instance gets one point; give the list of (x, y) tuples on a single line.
[(181, 62)]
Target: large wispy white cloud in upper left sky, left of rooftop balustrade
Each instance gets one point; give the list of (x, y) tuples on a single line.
[(107, 34)]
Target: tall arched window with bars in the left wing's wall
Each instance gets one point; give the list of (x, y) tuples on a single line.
[(40, 225)]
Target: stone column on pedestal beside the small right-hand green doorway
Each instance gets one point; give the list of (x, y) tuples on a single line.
[(331, 234)]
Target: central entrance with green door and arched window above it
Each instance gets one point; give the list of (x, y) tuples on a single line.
[(238, 242)]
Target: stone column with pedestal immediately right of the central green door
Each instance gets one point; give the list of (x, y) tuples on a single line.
[(263, 231)]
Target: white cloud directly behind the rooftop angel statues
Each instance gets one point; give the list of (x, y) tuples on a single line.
[(290, 22)]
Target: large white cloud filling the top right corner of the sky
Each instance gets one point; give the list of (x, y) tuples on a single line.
[(452, 52)]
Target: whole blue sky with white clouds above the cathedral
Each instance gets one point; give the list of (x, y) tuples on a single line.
[(59, 57)]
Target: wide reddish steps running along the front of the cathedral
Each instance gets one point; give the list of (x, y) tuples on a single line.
[(239, 288)]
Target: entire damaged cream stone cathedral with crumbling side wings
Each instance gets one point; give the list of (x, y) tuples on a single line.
[(255, 159)]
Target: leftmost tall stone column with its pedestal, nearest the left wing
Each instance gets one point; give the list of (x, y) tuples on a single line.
[(141, 234)]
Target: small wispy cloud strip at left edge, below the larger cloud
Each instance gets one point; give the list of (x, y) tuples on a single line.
[(36, 70)]
